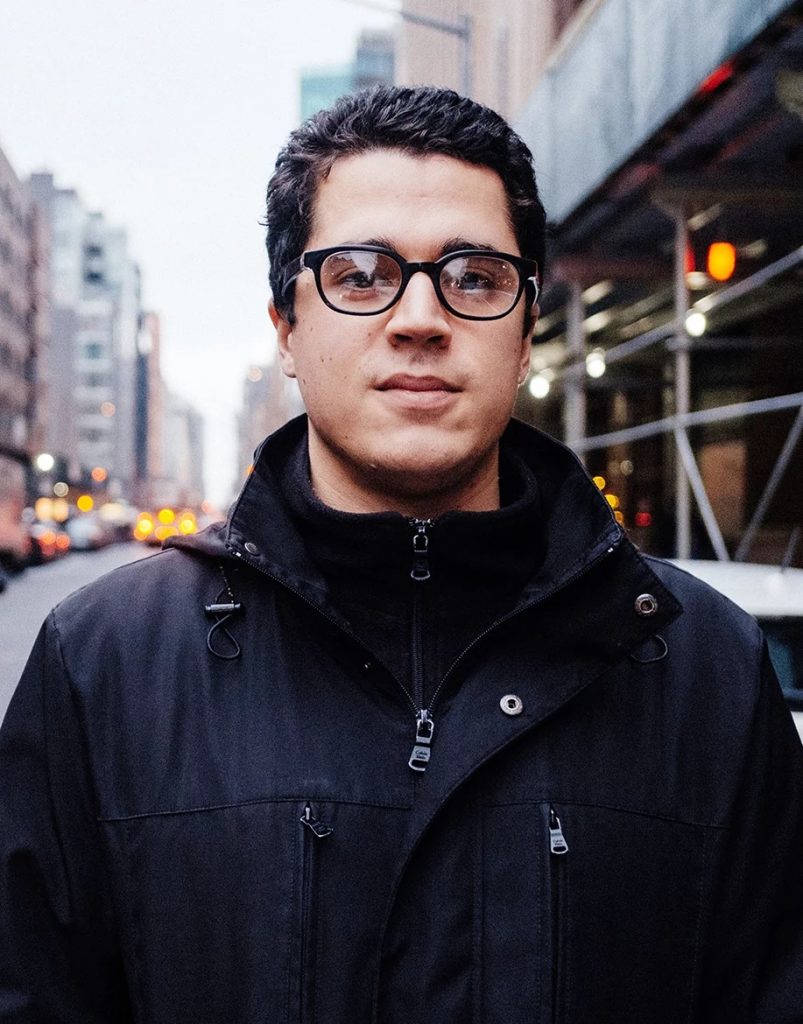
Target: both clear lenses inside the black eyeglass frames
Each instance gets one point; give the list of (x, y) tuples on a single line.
[(478, 285)]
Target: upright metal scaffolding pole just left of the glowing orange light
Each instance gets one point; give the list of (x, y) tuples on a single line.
[(683, 387)]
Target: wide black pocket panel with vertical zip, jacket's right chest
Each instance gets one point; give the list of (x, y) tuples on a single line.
[(589, 914)]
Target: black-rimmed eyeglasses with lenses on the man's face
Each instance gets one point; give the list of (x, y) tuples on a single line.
[(363, 281)]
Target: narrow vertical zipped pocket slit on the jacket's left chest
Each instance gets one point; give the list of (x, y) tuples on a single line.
[(313, 834)]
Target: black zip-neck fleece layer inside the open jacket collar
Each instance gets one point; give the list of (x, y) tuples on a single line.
[(480, 563)]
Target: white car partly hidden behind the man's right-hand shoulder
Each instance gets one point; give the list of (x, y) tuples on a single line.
[(775, 598)]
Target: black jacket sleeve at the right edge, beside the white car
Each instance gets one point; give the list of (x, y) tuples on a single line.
[(753, 964)]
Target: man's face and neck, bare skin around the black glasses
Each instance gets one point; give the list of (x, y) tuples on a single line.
[(406, 408)]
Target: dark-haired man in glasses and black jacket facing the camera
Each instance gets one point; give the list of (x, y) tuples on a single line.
[(417, 735)]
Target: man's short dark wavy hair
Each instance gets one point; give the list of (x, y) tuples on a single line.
[(418, 121)]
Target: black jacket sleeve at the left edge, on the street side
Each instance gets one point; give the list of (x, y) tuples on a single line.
[(60, 959)]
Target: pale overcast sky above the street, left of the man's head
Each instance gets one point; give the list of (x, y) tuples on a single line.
[(168, 116)]
